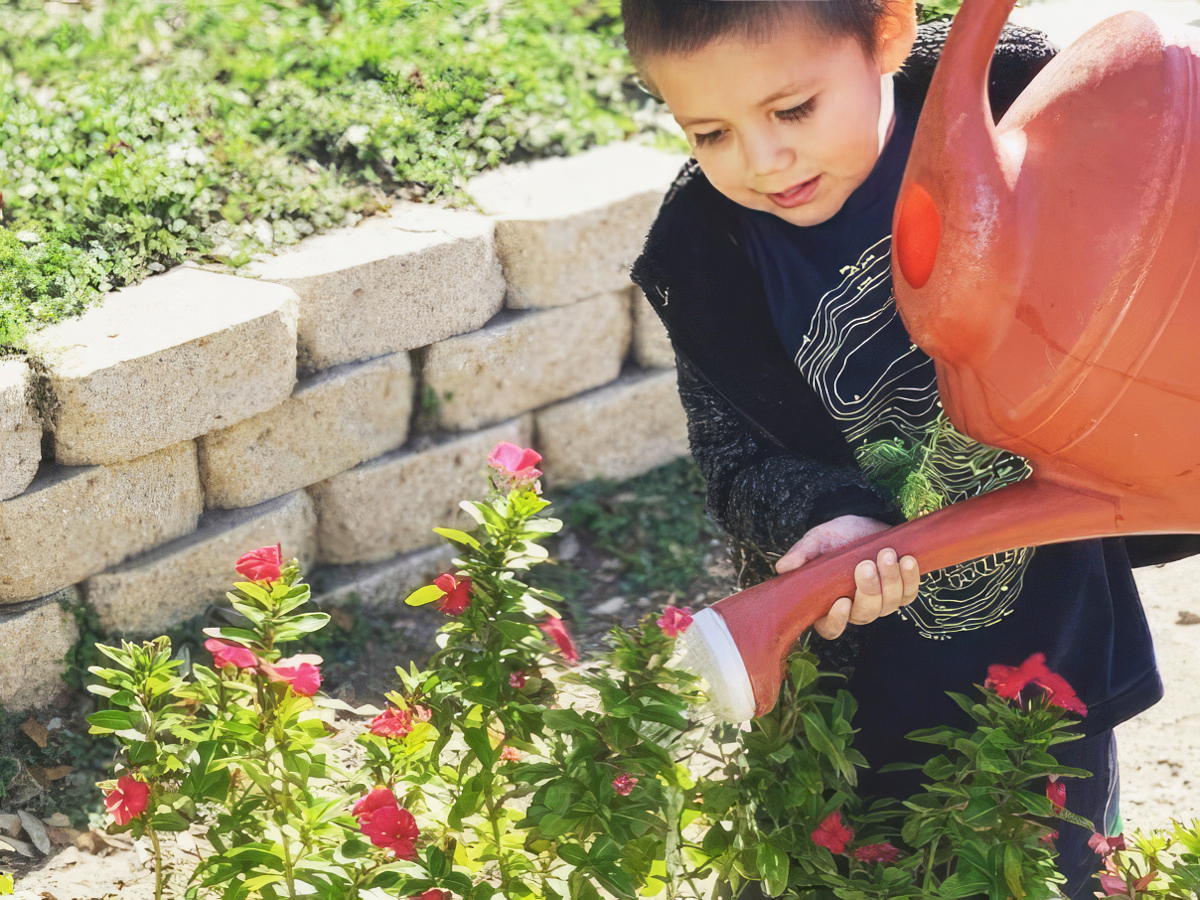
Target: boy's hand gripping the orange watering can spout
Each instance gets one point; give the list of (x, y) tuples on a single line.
[(883, 585)]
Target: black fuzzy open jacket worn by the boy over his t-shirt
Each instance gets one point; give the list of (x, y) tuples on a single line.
[(775, 460)]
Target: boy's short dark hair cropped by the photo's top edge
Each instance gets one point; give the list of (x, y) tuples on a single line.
[(682, 27)]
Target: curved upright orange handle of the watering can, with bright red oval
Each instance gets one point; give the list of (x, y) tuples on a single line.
[(955, 221)]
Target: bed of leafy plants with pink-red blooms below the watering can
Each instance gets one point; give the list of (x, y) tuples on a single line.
[(512, 766)]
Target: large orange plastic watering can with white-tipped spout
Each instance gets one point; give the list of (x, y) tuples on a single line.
[(1049, 266)]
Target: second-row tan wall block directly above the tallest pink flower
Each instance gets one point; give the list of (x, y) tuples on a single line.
[(526, 361)]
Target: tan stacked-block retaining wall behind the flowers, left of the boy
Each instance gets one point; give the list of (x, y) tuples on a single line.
[(339, 398)]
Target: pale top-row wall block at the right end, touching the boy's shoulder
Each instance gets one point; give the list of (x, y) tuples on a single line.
[(572, 227)]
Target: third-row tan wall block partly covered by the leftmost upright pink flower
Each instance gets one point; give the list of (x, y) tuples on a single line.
[(172, 584)]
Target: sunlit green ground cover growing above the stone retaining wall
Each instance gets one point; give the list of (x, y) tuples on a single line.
[(145, 133)]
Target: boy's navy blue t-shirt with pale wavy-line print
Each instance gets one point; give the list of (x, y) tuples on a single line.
[(830, 291)]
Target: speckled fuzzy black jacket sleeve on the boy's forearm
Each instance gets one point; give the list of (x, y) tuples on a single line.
[(764, 496)]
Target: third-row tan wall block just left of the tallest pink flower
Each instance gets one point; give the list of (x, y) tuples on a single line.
[(391, 506)]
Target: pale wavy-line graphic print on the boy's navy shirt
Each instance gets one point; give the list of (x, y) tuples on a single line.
[(880, 387)]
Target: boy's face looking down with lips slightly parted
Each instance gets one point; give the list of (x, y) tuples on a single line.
[(790, 127)]
